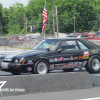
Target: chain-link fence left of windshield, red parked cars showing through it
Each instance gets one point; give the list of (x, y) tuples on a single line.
[(19, 41)]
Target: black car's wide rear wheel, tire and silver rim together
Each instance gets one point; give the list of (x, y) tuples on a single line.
[(93, 65)]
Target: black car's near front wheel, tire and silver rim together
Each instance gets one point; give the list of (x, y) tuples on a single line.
[(41, 67)]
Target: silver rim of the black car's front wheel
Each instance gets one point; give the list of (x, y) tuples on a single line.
[(42, 68)]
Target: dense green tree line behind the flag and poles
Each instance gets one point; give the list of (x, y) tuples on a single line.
[(85, 13)]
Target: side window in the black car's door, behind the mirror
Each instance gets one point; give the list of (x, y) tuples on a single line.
[(68, 45)]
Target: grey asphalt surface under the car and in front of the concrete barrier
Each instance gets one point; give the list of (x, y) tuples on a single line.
[(64, 95)]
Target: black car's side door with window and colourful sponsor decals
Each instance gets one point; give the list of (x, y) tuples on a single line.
[(68, 55)]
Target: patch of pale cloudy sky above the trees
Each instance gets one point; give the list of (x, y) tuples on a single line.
[(7, 3)]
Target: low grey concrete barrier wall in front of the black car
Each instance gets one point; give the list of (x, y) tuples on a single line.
[(46, 83)]
